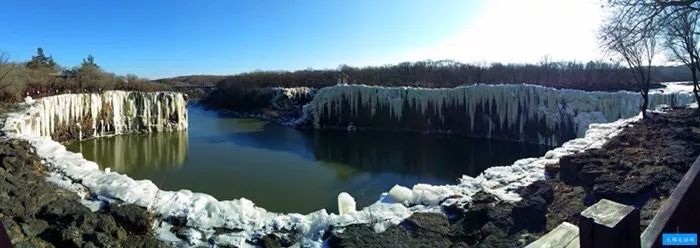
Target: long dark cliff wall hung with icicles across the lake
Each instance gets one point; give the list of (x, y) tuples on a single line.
[(527, 113)]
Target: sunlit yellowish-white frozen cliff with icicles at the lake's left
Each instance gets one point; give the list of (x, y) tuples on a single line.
[(77, 116)]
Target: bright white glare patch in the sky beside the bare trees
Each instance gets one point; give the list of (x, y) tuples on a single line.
[(520, 31)]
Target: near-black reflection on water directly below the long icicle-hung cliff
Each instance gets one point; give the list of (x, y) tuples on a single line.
[(435, 157)]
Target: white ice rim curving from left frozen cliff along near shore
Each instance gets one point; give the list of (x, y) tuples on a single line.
[(204, 213)]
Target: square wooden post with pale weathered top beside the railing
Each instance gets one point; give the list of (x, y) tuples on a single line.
[(609, 224)]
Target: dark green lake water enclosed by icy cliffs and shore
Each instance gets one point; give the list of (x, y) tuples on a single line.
[(283, 169)]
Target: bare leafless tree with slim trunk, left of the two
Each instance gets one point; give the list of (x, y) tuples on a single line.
[(622, 35)]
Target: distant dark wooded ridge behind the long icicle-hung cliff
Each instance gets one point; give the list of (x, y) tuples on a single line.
[(433, 74)]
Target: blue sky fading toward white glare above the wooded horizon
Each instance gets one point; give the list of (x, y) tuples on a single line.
[(159, 38)]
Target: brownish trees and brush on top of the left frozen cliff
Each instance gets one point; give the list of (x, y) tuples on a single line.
[(41, 76)]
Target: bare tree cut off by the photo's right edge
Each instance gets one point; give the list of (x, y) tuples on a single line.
[(682, 38)]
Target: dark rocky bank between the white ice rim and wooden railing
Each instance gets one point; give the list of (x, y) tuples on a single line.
[(639, 167)]
